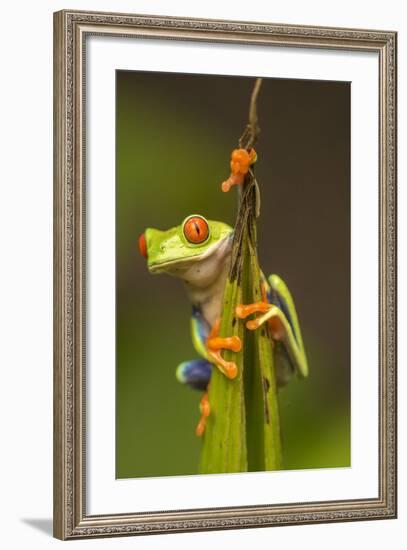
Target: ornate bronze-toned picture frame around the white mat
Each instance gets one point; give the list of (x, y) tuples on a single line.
[(71, 31)]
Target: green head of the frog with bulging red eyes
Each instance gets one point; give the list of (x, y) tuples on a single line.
[(196, 241)]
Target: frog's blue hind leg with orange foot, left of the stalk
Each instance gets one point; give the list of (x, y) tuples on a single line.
[(197, 374)]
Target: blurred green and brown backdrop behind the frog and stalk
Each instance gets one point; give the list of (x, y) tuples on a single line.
[(175, 133)]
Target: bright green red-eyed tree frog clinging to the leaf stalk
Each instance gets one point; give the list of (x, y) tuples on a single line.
[(199, 252)]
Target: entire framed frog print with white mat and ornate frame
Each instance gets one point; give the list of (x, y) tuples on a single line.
[(225, 274)]
